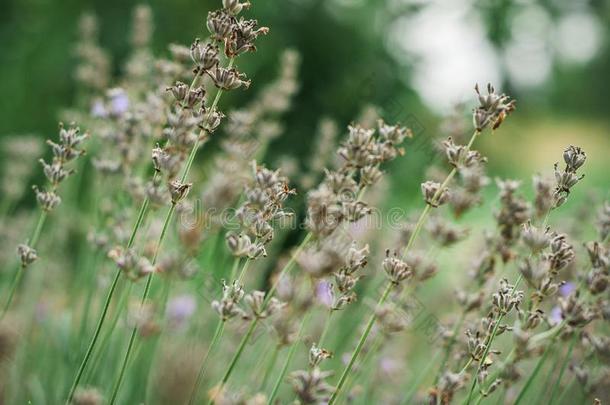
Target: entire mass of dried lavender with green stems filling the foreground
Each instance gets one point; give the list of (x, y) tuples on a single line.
[(199, 292)]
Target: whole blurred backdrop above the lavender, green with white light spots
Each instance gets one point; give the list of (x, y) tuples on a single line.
[(413, 59)]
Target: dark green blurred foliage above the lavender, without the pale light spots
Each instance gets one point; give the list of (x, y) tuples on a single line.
[(346, 63)]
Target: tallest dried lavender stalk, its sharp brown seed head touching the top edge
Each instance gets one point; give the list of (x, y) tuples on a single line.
[(238, 37)]
